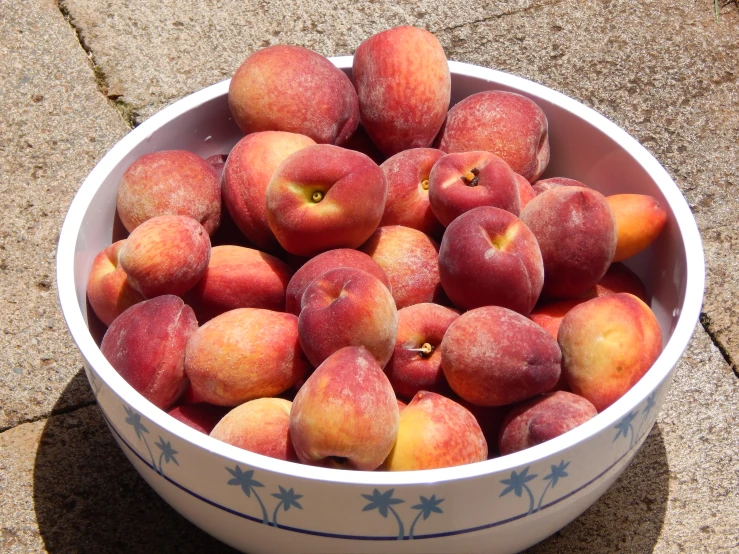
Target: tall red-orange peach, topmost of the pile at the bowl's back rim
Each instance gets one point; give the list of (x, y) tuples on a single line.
[(404, 86)]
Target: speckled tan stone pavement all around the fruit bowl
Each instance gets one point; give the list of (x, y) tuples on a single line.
[(78, 74)]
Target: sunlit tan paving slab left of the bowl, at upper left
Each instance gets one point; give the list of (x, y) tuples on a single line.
[(54, 126)]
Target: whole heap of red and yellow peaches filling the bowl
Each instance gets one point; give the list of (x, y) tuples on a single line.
[(370, 279)]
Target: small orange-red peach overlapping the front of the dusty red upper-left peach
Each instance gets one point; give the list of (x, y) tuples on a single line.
[(166, 254)]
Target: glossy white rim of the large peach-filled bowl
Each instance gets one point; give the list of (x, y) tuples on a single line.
[(668, 359)]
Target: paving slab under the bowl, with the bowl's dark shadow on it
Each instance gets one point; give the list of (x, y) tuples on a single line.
[(65, 486)]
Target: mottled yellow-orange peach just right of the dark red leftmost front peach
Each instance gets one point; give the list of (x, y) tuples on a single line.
[(244, 354)]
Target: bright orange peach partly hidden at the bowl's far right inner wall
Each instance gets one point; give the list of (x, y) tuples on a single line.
[(639, 220)]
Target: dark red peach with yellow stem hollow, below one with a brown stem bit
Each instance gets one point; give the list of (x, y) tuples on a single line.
[(488, 256)]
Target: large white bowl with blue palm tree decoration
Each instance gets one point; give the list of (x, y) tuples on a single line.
[(259, 504)]
